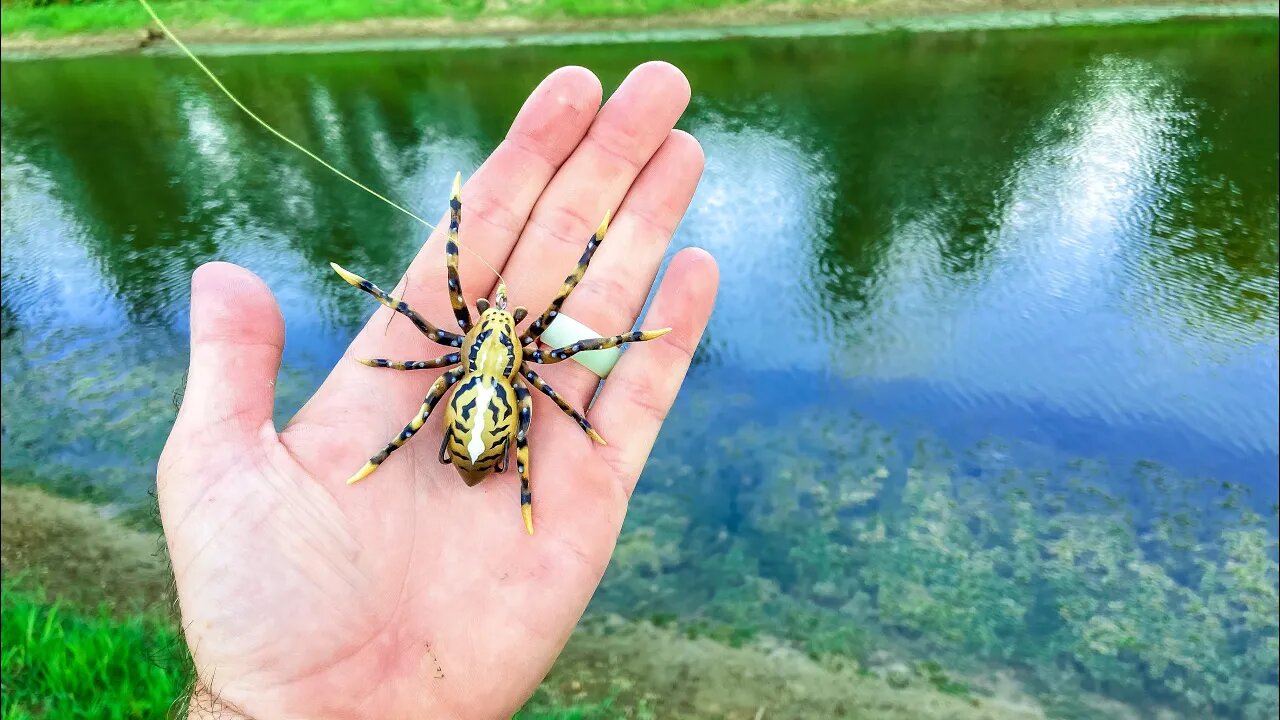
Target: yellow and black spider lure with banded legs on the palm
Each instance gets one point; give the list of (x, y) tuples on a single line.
[(491, 372)]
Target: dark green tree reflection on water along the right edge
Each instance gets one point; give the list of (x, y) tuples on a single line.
[(1215, 235)]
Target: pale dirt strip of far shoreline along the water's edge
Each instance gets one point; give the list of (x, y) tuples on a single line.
[(753, 21)]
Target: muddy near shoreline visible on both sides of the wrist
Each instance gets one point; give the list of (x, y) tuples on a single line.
[(68, 553)]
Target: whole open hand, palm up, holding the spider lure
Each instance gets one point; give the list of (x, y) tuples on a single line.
[(413, 595)]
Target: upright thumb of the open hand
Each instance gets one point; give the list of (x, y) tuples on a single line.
[(237, 336)]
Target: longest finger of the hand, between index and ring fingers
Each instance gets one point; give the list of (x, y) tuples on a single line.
[(625, 136)]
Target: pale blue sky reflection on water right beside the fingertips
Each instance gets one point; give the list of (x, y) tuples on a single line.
[(764, 199)]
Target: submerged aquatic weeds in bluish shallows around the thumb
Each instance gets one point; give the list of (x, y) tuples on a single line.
[(92, 425)]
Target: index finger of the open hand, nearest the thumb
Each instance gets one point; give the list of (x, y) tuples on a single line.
[(499, 199)]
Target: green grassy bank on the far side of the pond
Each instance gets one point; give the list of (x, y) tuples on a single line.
[(116, 25)]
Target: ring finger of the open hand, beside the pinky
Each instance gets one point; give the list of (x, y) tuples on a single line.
[(612, 294)]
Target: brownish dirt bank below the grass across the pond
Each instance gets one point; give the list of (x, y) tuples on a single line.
[(502, 26)]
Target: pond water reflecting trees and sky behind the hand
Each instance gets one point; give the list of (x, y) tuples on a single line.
[(984, 295)]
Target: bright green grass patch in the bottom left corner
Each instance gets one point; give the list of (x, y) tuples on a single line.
[(65, 663)]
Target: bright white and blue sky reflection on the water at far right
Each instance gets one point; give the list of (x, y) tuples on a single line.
[(1071, 253)]
